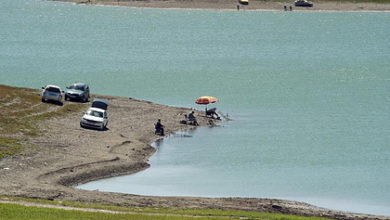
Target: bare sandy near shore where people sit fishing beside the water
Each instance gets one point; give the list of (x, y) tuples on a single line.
[(66, 155)]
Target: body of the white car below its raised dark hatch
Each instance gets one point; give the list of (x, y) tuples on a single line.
[(94, 118)]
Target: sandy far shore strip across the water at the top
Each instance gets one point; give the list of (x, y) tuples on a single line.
[(232, 5)]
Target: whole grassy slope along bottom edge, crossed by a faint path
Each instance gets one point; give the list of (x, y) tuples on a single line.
[(13, 211)]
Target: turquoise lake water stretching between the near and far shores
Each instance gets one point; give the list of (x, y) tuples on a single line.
[(308, 94)]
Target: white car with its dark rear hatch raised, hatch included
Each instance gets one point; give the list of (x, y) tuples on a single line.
[(96, 116)]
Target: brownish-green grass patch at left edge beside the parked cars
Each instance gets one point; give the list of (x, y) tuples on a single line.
[(21, 112)]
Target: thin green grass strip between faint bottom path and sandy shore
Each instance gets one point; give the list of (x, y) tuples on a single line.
[(189, 213)]
